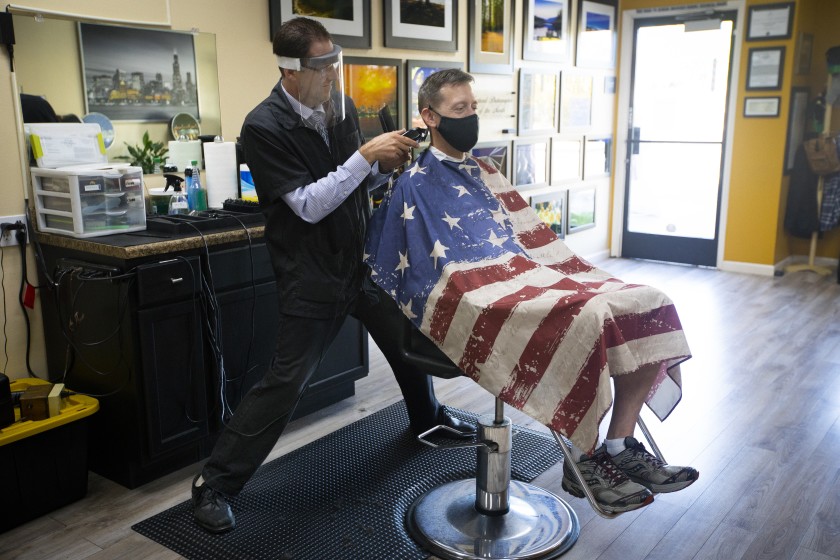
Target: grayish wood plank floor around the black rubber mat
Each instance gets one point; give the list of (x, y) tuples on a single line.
[(760, 419)]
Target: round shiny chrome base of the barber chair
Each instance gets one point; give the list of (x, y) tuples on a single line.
[(538, 526)]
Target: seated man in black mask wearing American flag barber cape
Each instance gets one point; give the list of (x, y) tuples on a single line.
[(474, 268)]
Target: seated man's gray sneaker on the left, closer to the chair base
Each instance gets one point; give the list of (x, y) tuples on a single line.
[(612, 489)]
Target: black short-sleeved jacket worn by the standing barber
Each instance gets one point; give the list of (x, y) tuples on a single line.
[(318, 266)]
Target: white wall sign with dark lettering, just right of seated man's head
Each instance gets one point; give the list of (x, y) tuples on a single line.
[(496, 97)]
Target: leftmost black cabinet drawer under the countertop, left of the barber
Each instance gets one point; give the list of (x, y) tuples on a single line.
[(167, 281)]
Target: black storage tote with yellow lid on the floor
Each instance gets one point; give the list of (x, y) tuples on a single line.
[(43, 464)]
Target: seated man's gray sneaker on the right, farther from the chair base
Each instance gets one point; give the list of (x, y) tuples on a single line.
[(646, 469)]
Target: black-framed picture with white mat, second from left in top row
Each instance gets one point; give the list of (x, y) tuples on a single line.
[(421, 24)]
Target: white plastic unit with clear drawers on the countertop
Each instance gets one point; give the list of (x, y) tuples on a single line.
[(89, 200)]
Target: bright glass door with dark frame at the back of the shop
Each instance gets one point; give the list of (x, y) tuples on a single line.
[(678, 101)]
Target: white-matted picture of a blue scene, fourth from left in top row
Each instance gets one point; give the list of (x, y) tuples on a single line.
[(547, 31)]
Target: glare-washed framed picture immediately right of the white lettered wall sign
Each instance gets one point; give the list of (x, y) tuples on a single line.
[(537, 102)]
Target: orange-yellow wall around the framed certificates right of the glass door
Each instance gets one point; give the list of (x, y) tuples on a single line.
[(758, 187)]
